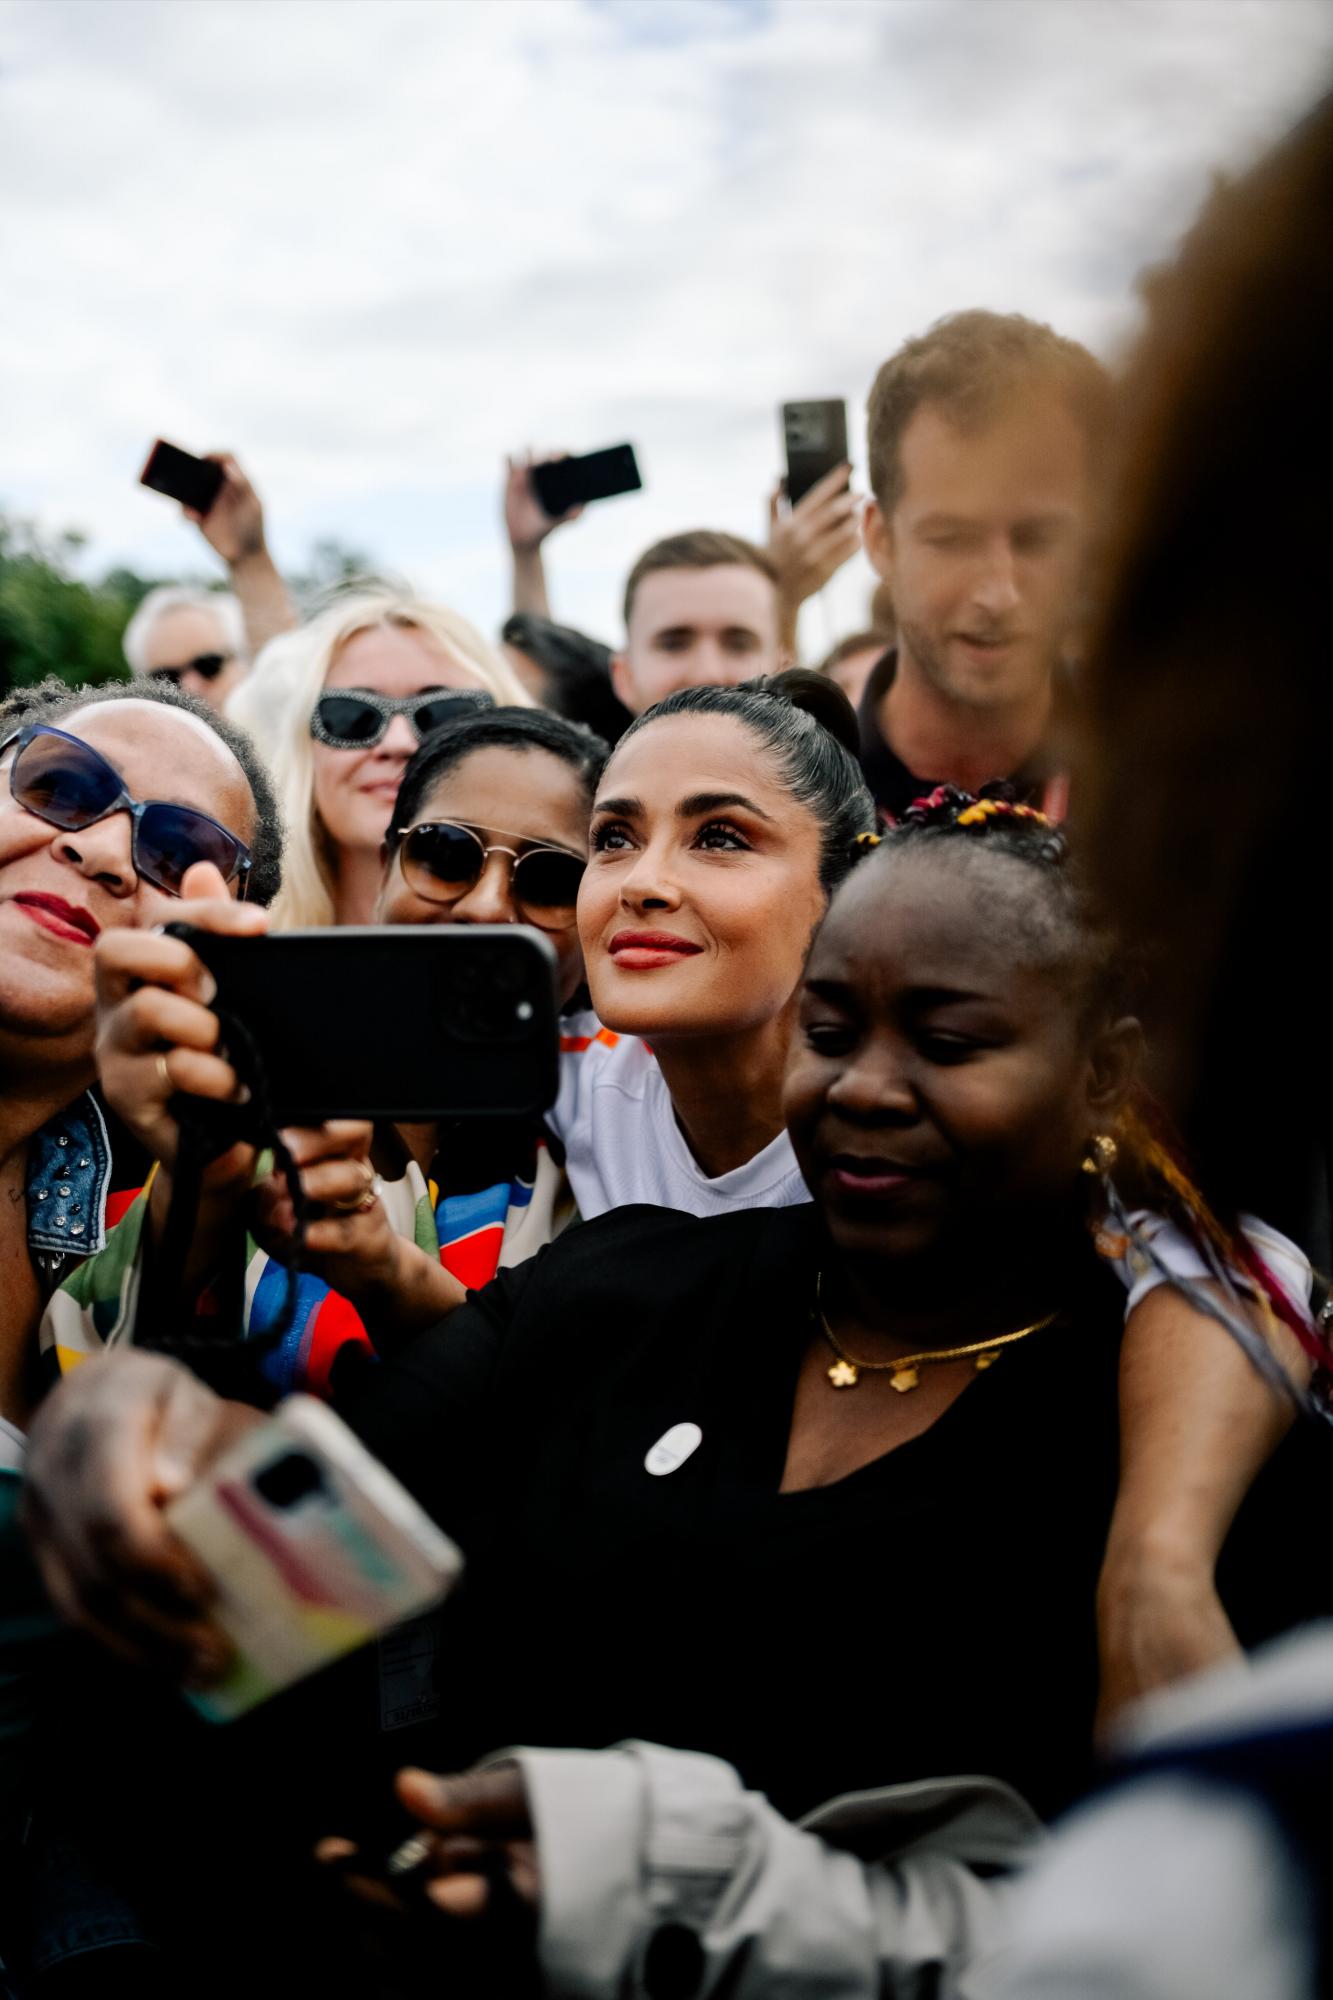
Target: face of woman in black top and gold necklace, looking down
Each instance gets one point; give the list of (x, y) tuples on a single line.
[(942, 1085)]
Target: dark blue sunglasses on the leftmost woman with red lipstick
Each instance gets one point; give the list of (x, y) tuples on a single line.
[(69, 785)]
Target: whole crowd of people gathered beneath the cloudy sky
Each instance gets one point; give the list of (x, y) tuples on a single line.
[(886, 1385)]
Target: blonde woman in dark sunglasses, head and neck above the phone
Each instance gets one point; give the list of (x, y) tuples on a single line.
[(337, 709)]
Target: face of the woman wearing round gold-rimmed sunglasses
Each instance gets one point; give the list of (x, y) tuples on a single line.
[(513, 799)]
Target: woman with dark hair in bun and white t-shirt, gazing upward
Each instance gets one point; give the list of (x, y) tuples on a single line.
[(722, 827)]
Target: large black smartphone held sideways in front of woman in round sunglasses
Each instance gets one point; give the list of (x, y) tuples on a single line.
[(399, 1021)]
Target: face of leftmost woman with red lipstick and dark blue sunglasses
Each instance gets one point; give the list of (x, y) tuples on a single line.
[(61, 889)]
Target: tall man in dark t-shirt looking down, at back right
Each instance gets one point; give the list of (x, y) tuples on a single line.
[(984, 443)]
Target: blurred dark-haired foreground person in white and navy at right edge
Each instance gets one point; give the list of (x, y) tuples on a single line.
[(1210, 1869)]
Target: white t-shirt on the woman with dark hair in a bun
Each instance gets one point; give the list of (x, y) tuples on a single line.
[(623, 1143)]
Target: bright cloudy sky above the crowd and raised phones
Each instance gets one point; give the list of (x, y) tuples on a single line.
[(373, 245)]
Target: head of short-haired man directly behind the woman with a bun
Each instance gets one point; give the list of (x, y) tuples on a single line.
[(702, 609)]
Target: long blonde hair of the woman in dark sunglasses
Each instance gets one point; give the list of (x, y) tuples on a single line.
[(275, 705)]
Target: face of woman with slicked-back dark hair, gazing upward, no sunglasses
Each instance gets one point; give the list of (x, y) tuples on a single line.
[(704, 883)]
